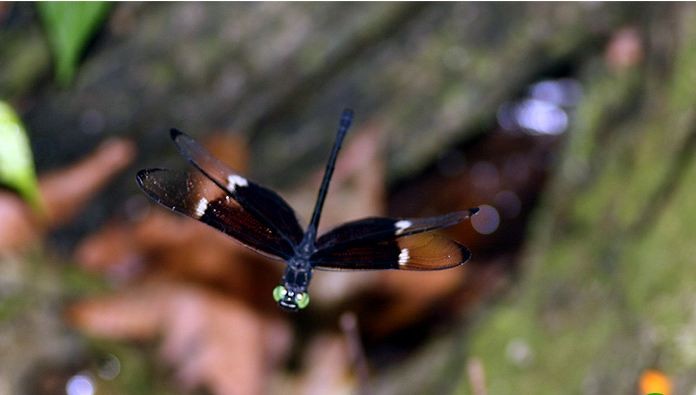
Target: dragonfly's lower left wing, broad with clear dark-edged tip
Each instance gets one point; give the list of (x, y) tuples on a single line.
[(199, 198)]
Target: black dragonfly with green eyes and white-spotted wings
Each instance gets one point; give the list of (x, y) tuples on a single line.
[(261, 220)]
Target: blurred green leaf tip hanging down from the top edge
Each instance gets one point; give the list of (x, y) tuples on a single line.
[(69, 25)]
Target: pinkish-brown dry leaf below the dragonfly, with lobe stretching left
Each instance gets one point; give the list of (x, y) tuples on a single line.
[(214, 341)]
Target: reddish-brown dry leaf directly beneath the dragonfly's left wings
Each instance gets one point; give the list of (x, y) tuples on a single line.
[(165, 244)]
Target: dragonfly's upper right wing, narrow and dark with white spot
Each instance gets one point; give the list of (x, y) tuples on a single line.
[(380, 228)]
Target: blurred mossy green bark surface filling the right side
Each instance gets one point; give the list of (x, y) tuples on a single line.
[(607, 288)]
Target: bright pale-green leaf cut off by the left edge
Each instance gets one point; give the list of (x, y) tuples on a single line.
[(16, 162)]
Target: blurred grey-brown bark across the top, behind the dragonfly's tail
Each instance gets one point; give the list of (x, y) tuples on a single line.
[(430, 75)]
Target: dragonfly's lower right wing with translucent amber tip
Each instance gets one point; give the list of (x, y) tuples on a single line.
[(423, 251)]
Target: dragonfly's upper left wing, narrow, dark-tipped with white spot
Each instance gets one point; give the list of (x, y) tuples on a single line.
[(262, 203)]
